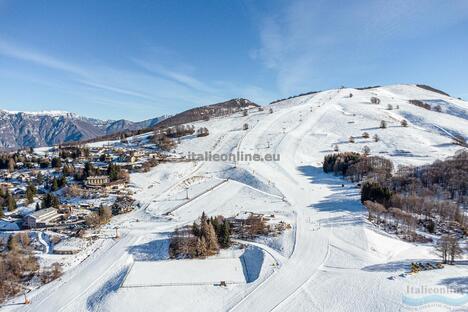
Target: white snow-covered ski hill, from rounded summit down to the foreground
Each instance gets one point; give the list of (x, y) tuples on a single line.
[(329, 258)]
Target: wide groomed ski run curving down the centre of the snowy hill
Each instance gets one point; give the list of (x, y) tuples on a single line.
[(310, 250)]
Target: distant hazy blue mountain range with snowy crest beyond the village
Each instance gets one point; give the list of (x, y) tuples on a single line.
[(34, 129)]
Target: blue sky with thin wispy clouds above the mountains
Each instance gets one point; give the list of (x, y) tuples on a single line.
[(141, 59)]
